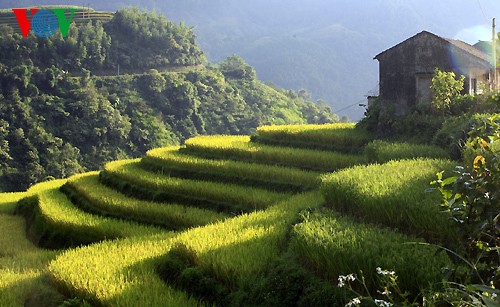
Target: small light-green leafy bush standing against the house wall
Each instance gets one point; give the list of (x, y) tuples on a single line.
[(445, 88)]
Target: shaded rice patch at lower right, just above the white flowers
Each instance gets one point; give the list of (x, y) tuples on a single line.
[(332, 245)]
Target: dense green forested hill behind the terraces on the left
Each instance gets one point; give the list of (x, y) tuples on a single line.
[(60, 114)]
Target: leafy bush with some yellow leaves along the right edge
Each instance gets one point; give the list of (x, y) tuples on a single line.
[(472, 199)]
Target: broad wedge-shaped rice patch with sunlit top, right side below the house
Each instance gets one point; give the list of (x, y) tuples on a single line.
[(393, 195)]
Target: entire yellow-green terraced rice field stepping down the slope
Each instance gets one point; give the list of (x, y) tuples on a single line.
[(209, 223)]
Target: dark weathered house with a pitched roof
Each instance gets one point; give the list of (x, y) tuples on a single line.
[(406, 70)]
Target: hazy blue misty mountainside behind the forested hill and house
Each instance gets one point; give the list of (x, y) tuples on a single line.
[(324, 46)]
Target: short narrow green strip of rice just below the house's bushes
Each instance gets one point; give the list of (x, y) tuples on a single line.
[(383, 151)]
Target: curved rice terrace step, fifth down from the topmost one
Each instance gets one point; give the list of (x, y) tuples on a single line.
[(107, 201)]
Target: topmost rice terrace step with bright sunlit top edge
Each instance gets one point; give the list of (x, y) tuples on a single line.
[(340, 137)]
